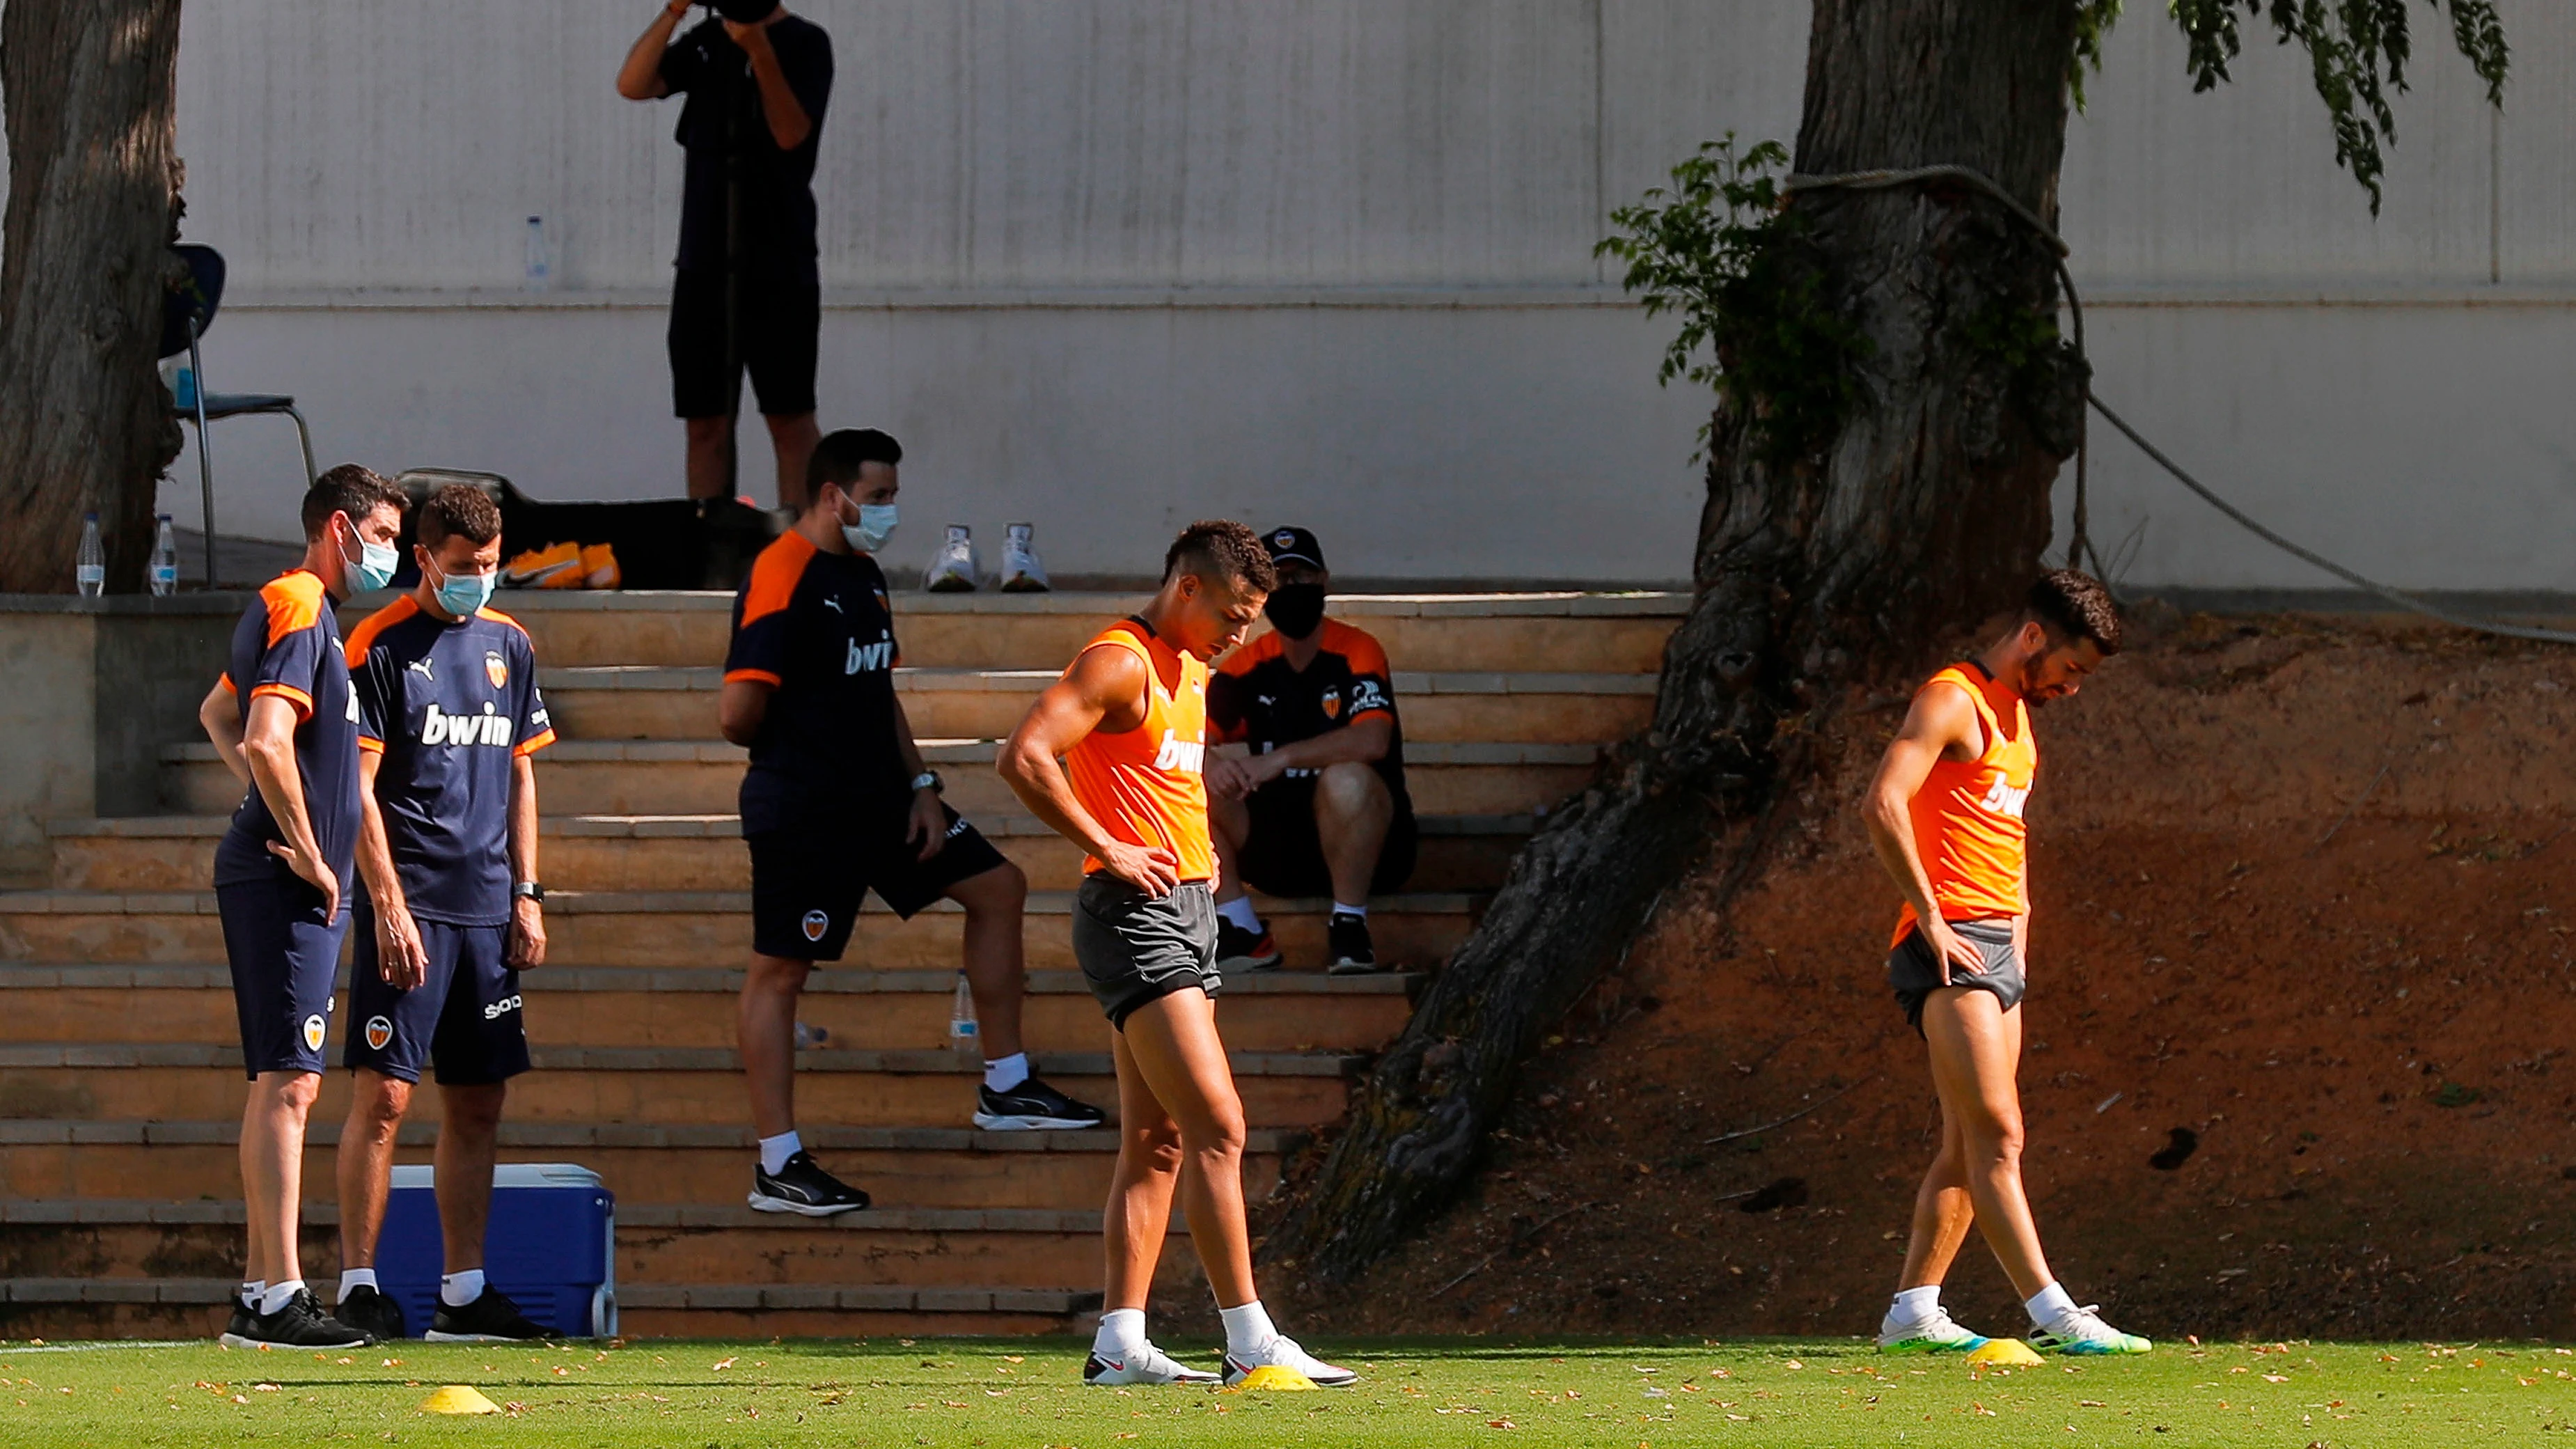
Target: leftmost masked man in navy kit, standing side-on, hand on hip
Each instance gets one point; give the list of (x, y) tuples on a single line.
[(285, 723)]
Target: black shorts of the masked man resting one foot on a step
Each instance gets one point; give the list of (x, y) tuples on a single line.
[(808, 883)]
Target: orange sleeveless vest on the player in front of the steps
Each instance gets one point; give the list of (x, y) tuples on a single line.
[(1145, 785)]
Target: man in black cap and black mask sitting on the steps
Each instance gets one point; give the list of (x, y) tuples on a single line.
[(1320, 806)]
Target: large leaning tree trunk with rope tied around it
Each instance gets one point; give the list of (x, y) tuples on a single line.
[(1923, 514)]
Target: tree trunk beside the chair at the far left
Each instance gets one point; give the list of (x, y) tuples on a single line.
[(91, 94)]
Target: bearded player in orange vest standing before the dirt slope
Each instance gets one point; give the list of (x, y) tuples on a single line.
[(1946, 819)]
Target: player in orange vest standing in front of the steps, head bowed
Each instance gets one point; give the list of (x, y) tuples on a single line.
[(1130, 723)]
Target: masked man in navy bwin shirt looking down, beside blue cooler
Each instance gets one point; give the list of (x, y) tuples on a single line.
[(450, 721)]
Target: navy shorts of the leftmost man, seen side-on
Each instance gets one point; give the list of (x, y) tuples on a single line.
[(285, 958)]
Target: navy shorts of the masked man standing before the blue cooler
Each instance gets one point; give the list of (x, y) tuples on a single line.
[(465, 1015)]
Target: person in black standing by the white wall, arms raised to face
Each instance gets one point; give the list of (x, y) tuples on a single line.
[(746, 295)]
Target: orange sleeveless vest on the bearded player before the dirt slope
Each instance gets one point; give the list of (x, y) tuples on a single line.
[(1969, 813)]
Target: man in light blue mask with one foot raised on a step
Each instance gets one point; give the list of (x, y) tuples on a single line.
[(838, 803)]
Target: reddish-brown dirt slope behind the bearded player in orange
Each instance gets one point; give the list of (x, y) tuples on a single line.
[(2302, 891)]
